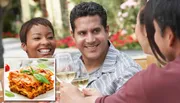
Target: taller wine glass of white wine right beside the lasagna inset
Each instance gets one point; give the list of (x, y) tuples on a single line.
[(64, 68)]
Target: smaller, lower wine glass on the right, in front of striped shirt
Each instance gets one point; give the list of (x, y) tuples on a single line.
[(81, 79)]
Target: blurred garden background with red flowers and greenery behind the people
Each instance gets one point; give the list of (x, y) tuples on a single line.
[(121, 19)]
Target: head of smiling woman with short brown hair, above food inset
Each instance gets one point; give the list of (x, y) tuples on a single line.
[(37, 38)]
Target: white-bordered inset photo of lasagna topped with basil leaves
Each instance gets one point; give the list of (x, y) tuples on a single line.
[(29, 79)]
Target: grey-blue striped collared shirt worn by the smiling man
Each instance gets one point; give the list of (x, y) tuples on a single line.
[(115, 71)]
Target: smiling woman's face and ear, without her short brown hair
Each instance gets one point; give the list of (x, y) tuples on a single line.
[(40, 42)]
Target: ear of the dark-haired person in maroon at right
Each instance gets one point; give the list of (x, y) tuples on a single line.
[(170, 36)]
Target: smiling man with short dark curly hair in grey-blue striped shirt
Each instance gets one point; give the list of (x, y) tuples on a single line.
[(108, 68)]
